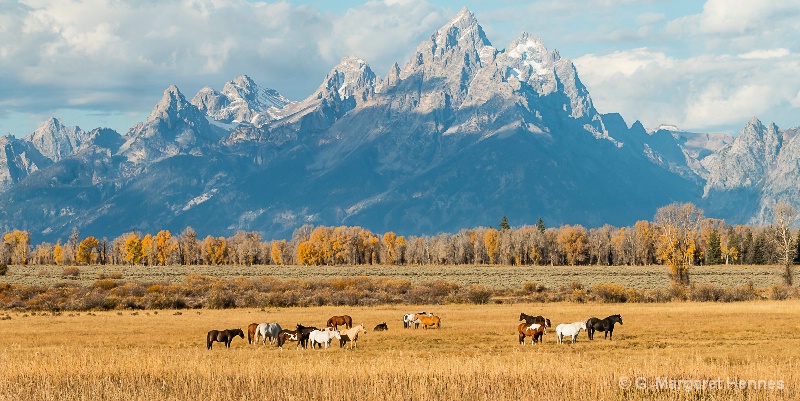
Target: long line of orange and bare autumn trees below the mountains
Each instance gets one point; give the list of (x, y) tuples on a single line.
[(679, 236)]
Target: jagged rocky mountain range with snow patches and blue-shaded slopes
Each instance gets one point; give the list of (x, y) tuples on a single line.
[(460, 135)]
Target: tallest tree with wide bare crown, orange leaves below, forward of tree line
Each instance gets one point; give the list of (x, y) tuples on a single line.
[(678, 225)]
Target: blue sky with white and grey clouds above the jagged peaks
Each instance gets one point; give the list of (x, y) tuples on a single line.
[(702, 66)]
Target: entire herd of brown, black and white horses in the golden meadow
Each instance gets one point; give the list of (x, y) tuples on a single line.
[(534, 327)]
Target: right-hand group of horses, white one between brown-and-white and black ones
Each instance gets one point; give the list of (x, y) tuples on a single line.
[(536, 326)]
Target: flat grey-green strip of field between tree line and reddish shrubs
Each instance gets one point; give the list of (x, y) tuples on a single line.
[(639, 277)]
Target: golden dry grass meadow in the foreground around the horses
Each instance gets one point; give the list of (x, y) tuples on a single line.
[(159, 355)]
